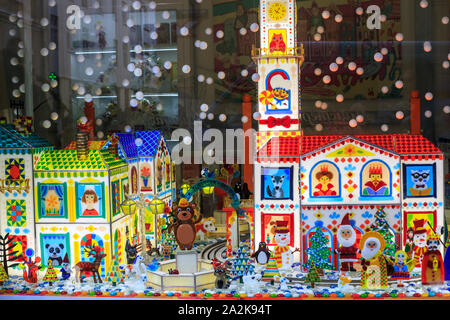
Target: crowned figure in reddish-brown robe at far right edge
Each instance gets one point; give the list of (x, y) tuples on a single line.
[(432, 264)]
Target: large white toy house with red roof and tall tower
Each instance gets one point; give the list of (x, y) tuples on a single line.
[(302, 179)]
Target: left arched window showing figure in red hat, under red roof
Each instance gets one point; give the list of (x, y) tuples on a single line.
[(325, 182)]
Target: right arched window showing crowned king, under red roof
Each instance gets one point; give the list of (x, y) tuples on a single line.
[(376, 181)]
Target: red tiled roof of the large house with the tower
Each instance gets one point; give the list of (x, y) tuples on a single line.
[(403, 144)]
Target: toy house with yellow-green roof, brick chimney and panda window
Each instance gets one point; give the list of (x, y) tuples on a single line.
[(78, 197)]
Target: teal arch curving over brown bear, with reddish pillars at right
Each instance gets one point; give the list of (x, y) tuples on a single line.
[(240, 213)]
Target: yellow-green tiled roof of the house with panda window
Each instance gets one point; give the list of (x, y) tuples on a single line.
[(55, 160)]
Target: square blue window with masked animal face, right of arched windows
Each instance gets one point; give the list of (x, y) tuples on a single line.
[(420, 180)]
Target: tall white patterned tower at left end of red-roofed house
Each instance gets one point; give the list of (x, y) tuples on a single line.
[(277, 165)]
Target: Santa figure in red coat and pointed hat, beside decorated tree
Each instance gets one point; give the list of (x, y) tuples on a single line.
[(347, 250)]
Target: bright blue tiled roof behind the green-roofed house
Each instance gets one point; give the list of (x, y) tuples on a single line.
[(127, 141)]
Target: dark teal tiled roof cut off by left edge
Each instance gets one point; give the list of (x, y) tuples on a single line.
[(11, 139)]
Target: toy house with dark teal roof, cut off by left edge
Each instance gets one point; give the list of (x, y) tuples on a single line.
[(19, 150)]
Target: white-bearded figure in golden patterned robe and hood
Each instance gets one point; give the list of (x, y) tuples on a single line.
[(373, 264)]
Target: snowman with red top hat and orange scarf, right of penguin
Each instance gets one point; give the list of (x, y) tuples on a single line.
[(283, 255)]
